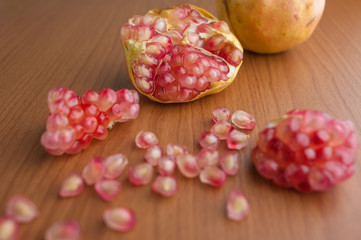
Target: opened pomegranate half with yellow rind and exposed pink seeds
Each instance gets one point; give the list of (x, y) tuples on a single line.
[(180, 54)]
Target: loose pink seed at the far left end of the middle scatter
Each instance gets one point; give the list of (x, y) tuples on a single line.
[(72, 186)]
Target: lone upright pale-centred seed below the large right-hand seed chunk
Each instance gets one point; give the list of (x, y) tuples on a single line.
[(237, 206)]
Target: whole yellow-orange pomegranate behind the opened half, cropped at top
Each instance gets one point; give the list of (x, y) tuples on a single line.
[(271, 26)]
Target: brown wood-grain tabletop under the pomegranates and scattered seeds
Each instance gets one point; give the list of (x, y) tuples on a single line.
[(75, 44)]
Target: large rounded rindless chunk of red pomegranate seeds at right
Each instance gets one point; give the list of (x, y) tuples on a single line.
[(307, 150)]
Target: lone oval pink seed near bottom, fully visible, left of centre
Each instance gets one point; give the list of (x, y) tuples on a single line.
[(119, 219)]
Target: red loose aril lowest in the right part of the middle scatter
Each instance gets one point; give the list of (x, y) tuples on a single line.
[(213, 176)]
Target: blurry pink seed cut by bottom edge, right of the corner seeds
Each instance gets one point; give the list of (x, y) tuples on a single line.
[(66, 230)]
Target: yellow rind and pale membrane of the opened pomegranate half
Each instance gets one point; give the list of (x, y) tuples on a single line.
[(134, 49)]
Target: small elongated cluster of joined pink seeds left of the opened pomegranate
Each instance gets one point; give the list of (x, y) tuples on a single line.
[(74, 121)]
